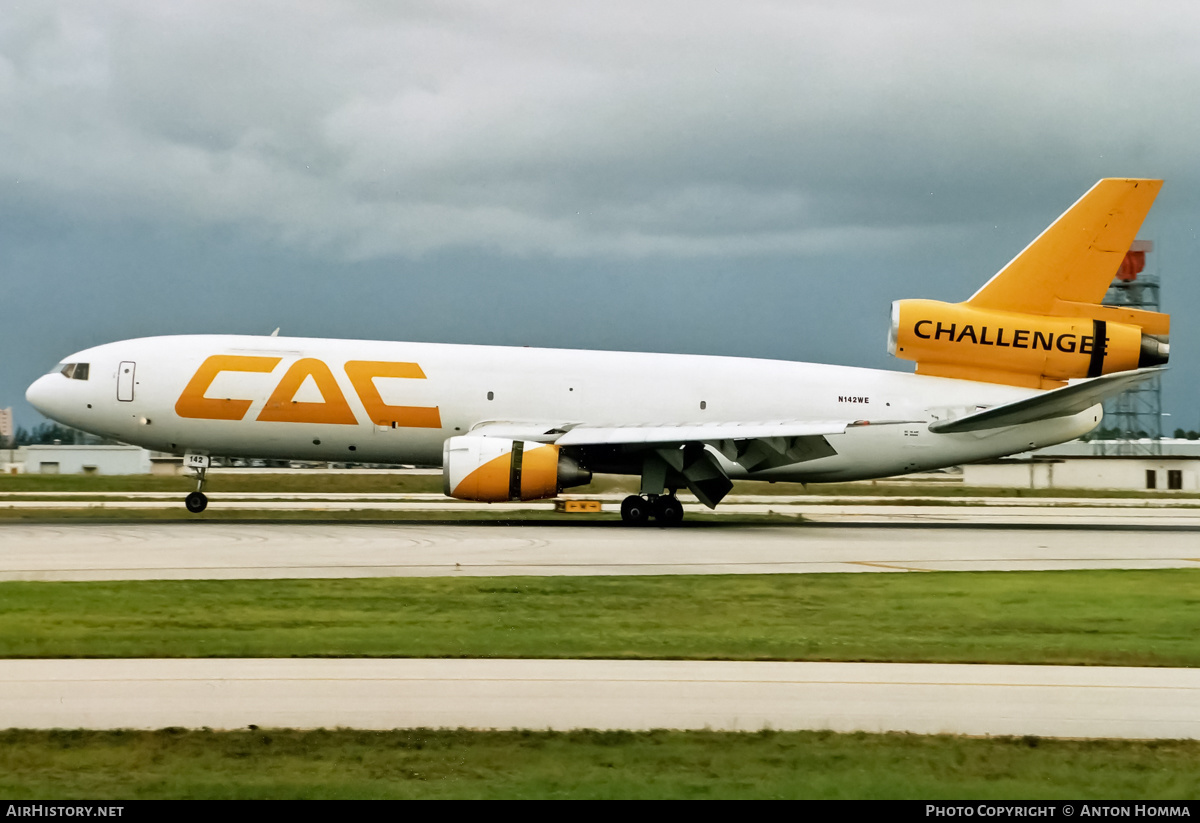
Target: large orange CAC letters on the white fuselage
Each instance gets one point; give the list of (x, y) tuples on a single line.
[(283, 405)]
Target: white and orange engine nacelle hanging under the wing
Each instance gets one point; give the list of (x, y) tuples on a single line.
[(496, 470)]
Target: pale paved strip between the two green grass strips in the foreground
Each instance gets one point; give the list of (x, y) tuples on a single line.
[(1047, 701)]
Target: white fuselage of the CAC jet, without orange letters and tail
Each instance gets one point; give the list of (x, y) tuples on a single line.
[(539, 389)]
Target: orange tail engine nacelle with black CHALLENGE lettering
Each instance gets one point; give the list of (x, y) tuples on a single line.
[(961, 341)]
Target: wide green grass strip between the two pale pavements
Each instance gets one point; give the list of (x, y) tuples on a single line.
[(1112, 618)]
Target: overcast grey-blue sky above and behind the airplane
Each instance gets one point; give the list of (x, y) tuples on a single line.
[(748, 178)]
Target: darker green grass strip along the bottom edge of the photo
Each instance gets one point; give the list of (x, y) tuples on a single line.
[(339, 765)]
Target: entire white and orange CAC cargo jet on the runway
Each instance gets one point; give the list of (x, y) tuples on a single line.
[(1025, 363)]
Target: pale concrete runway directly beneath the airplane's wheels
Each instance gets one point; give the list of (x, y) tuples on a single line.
[(201, 550)]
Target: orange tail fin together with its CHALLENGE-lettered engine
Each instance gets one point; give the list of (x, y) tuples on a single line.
[(1041, 321)]
